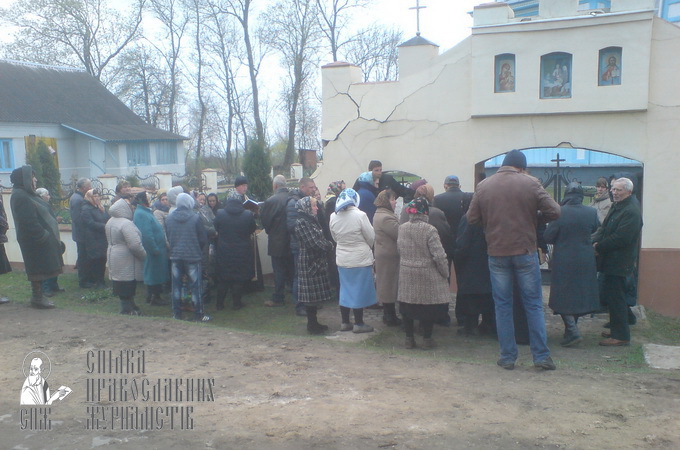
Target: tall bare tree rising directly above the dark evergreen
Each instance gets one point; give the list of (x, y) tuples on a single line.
[(240, 10)]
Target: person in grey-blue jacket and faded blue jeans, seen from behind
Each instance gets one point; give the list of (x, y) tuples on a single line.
[(187, 238)]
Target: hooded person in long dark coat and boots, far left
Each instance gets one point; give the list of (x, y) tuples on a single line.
[(37, 234)]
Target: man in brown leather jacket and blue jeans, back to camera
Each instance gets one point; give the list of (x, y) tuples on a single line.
[(509, 205)]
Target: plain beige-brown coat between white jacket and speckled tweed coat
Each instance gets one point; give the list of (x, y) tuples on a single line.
[(386, 229)]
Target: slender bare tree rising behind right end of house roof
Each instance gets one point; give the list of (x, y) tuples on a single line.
[(175, 19)]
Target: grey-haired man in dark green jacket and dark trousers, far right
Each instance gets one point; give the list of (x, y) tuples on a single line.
[(615, 244)]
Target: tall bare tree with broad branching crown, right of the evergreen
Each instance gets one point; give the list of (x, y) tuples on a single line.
[(292, 29)]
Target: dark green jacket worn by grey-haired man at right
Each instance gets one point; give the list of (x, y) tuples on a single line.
[(618, 237)]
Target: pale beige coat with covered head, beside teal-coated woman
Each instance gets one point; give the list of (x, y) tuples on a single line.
[(125, 255)]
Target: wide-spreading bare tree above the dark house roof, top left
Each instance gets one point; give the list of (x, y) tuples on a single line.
[(85, 33)]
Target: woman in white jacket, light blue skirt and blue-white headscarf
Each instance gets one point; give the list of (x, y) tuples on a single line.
[(354, 236)]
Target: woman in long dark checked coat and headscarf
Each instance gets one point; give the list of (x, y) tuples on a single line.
[(314, 287)]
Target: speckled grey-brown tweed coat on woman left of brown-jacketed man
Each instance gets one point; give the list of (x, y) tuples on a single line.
[(423, 268)]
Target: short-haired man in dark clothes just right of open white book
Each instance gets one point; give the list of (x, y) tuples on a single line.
[(273, 216)]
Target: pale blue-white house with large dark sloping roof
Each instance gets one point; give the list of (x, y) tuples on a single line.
[(90, 130)]
